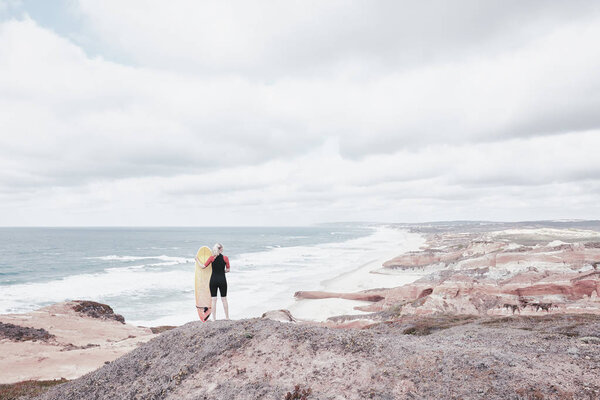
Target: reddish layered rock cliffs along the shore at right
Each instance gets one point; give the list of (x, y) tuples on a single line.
[(489, 275)]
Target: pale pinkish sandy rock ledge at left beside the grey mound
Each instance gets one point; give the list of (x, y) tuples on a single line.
[(57, 341)]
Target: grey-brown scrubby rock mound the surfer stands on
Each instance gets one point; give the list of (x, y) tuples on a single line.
[(261, 358)]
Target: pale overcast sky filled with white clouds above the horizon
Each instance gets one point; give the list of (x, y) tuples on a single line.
[(233, 113)]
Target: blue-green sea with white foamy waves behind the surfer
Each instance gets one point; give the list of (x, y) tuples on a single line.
[(147, 274)]
